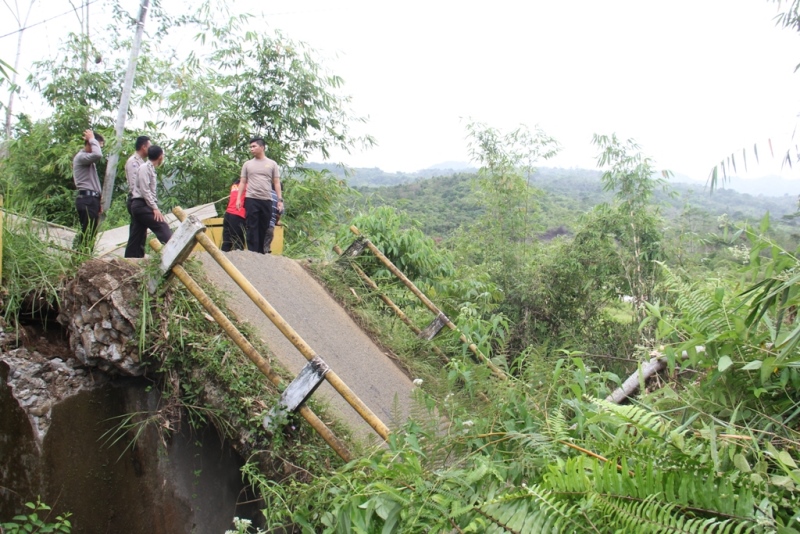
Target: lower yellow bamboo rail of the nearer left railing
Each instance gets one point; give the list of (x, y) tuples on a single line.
[(253, 354)]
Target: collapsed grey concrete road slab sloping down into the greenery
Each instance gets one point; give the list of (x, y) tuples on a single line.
[(326, 327)]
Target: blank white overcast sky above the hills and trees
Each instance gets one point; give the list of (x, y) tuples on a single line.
[(691, 80)]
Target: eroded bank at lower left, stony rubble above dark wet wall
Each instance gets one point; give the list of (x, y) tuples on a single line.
[(82, 426)]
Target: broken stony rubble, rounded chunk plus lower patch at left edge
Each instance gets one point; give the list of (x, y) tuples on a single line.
[(99, 308)]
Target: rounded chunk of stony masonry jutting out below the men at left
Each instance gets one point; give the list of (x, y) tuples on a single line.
[(99, 309)]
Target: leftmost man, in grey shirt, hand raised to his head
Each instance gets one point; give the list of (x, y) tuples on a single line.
[(87, 182)]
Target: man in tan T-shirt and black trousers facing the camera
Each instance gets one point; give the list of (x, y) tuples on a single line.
[(260, 176)]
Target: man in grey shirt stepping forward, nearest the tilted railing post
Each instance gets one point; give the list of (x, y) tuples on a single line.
[(144, 205)]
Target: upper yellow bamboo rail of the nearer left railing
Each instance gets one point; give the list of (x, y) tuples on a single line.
[(286, 329)]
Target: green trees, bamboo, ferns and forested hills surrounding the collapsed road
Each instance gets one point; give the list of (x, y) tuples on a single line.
[(569, 281)]
